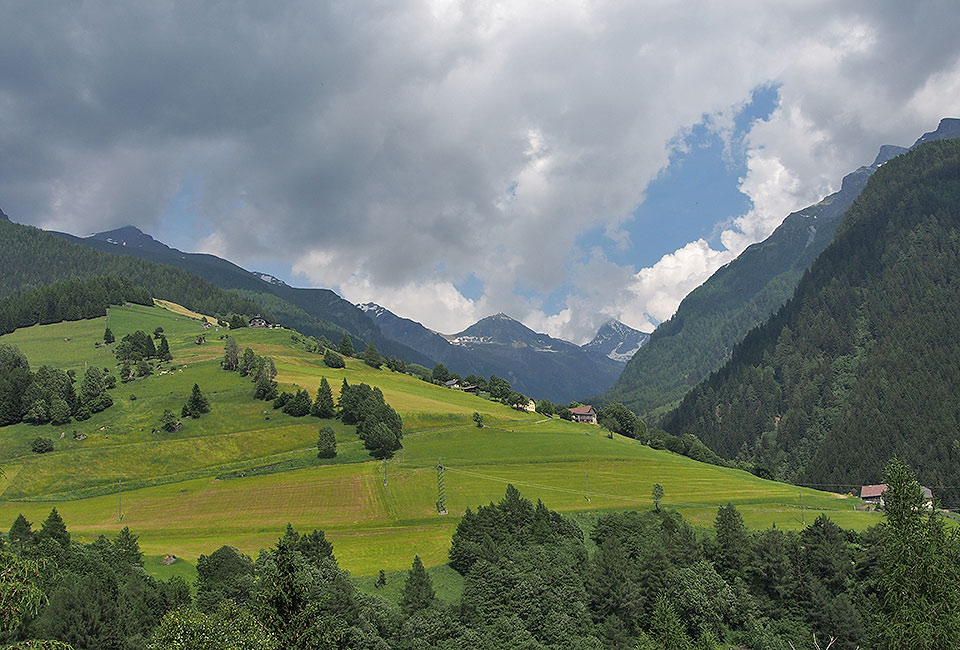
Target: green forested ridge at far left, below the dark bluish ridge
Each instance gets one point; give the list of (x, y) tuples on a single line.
[(35, 258)]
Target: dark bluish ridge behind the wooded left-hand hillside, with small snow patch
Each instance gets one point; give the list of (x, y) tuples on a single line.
[(315, 312)]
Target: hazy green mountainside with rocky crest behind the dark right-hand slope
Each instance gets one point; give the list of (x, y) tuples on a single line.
[(715, 316)]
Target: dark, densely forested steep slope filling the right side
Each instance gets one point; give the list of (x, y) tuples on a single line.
[(863, 362)]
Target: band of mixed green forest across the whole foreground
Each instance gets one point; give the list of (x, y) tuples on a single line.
[(532, 581)]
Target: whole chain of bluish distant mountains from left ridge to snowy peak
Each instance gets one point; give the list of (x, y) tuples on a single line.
[(535, 364)]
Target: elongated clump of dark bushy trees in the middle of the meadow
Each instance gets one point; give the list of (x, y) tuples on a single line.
[(378, 425)]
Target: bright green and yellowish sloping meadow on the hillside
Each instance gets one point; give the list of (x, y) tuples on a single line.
[(239, 474)]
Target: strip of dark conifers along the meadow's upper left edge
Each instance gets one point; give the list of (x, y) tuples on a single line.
[(70, 300)]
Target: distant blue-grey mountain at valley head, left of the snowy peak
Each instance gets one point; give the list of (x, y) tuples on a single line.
[(535, 364)]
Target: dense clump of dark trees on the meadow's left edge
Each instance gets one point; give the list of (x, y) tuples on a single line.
[(49, 394)]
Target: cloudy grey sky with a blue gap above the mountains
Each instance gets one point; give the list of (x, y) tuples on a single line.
[(562, 162)]
